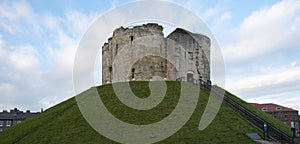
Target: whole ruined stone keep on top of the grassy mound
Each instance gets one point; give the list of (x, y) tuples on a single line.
[(143, 53)]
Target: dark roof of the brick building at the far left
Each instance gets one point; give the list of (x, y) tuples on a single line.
[(16, 114)]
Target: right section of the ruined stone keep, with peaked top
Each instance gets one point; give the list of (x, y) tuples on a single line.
[(195, 54)]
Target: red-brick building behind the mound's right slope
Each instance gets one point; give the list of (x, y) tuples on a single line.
[(288, 116)]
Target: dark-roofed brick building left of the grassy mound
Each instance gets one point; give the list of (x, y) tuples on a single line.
[(13, 117)]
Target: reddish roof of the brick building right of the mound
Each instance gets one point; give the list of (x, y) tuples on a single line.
[(271, 107)]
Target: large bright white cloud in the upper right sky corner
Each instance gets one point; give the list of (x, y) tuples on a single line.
[(264, 31)]
